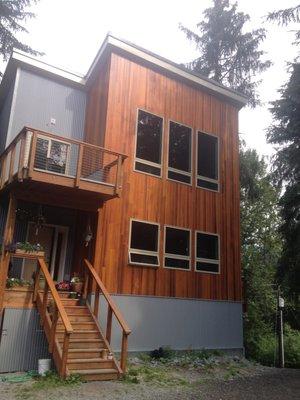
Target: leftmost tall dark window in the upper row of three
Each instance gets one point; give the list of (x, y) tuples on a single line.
[(149, 143)]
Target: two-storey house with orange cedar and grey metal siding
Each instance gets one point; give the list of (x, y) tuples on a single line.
[(128, 177)]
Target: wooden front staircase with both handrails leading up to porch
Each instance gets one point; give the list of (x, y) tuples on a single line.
[(72, 329)]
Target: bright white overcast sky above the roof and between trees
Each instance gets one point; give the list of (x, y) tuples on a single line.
[(70, 33)]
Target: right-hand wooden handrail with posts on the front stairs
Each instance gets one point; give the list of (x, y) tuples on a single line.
[(112, 310)]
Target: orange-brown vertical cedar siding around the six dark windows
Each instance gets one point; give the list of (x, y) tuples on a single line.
[(132, 86)]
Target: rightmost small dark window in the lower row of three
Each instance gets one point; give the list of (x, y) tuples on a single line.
[(207, 253)]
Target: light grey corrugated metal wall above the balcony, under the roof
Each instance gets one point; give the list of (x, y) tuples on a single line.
[(39, 99)]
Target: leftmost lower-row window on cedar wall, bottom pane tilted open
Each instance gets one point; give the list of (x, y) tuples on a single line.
[(143, 243)]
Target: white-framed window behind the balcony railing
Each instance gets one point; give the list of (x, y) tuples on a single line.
[(51, 155)]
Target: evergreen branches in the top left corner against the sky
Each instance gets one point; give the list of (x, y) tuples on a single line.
[(13, 13)]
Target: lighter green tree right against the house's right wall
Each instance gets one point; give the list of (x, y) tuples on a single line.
[(261, 248)]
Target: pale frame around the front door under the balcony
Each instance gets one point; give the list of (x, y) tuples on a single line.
[(62, 262)]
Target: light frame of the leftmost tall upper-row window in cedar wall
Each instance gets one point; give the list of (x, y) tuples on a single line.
[(142, 161)]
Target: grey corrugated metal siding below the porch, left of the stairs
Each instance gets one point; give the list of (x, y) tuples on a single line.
[(22, 342)]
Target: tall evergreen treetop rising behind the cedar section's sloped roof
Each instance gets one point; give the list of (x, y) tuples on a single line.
[(229, 54)]
